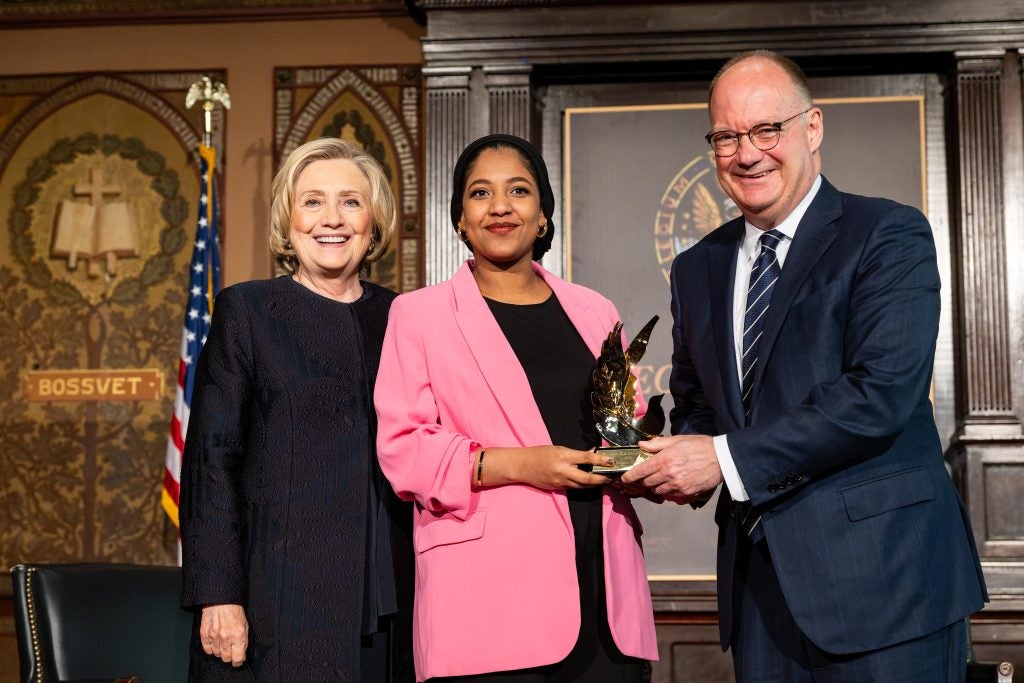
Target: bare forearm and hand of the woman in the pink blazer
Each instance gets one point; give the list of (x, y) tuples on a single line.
[(548, 467)]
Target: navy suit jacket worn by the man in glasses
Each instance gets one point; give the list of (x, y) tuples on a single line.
[(841, 455)]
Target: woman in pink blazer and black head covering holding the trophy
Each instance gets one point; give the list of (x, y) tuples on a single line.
[(529, 569)]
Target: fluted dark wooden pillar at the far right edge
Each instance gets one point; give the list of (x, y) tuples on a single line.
[(989, 451)]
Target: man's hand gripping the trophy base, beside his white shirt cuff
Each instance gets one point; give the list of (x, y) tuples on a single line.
[(685, 468)]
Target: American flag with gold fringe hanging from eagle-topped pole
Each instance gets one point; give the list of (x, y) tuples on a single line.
[(204, 283)]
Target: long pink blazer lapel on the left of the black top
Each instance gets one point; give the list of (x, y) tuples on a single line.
[(500, 369)]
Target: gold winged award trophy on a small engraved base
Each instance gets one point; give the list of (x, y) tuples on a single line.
[(614, 397)]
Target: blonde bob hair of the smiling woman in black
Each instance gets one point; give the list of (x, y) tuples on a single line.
[(382, 207)]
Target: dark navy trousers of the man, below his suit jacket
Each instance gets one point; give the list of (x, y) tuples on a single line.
[(769, 646)]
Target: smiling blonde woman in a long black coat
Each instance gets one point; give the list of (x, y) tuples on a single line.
[(295, 550)]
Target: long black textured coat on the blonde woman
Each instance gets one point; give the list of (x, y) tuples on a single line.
[(277, 482)]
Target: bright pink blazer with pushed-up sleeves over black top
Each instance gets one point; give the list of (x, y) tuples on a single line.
[(496, 579)]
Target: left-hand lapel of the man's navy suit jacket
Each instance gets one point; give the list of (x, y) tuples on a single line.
[(722, 281)]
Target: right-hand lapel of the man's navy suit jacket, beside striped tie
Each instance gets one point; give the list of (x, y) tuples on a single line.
[(816, 233)]
